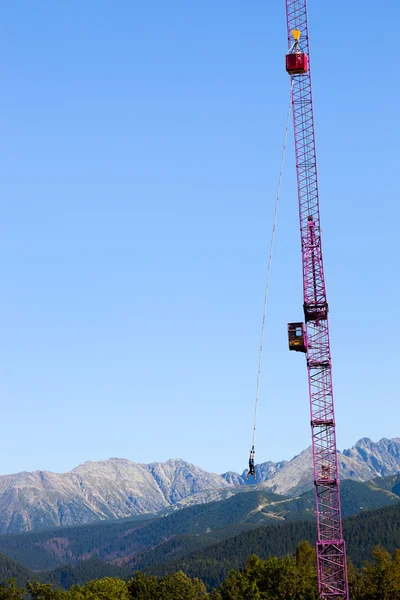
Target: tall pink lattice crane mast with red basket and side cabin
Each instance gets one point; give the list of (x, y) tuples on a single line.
[(312, 337)]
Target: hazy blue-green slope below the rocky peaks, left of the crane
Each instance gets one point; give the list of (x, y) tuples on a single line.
[(121, 541)]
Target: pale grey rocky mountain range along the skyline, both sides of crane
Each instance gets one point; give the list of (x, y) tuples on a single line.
[(118, 488)]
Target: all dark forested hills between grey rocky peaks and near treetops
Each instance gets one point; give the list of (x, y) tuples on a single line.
[(204, 540)]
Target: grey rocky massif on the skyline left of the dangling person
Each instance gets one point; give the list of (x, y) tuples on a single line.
[(107, 489)]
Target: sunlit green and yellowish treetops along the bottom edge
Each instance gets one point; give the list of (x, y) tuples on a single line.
[(292, 576)]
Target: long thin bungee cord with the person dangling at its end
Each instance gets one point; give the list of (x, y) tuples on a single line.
[(252, 452)]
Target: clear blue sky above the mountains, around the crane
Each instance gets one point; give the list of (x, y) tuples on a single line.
[(140, 150)]
